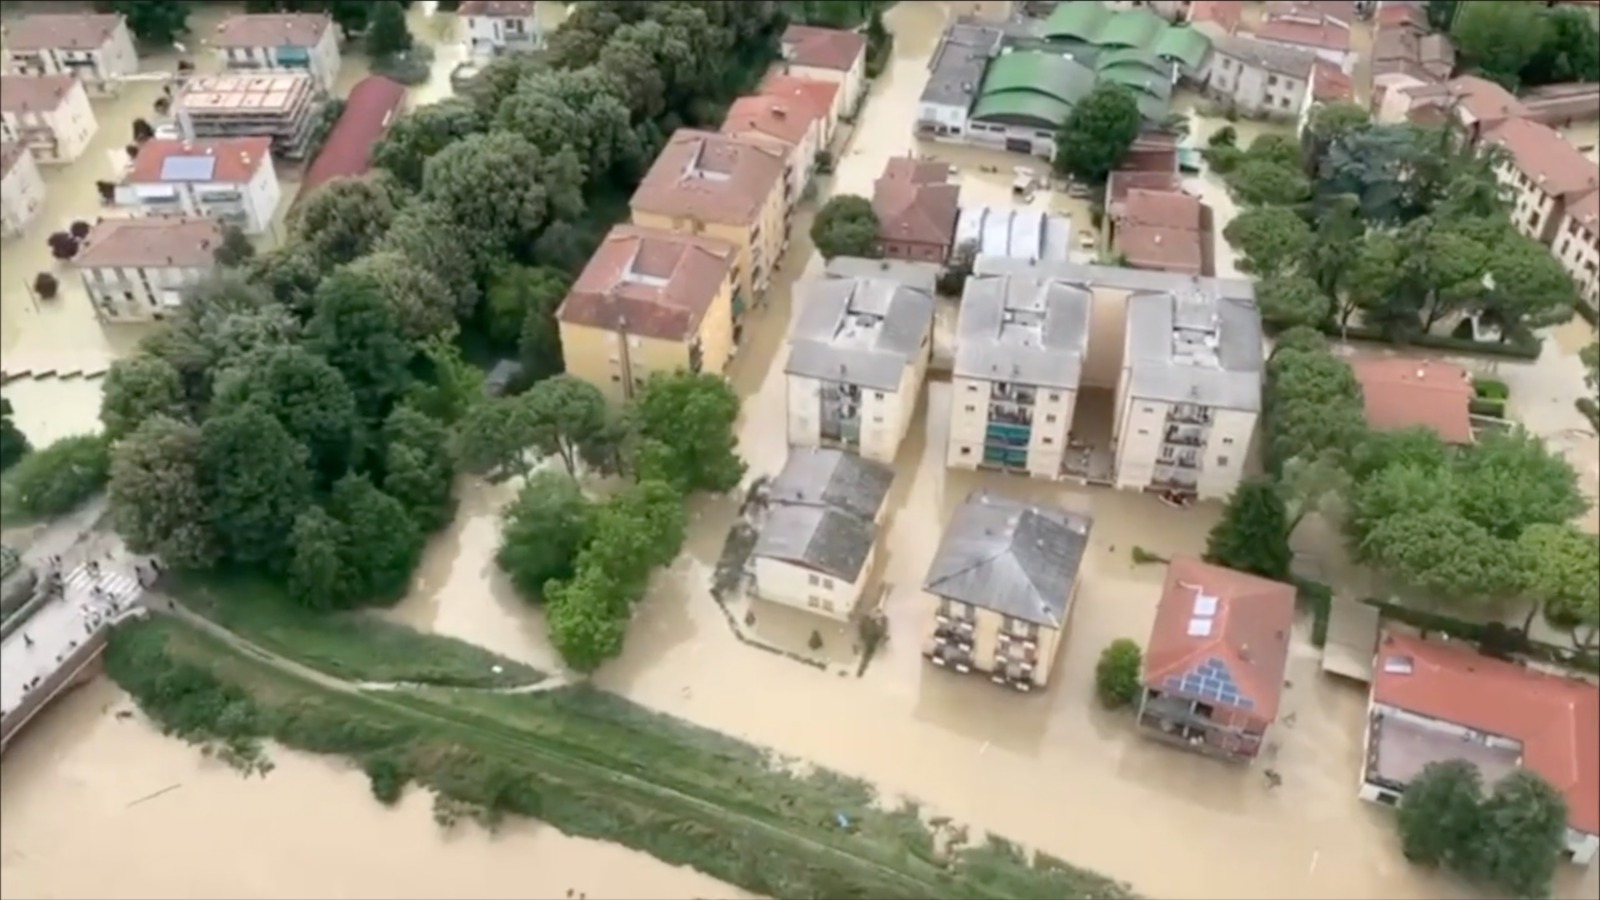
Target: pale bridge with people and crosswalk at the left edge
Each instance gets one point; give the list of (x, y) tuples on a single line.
[(62, 640)]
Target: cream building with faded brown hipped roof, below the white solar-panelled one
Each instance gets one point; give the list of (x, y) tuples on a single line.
[(138, 270)]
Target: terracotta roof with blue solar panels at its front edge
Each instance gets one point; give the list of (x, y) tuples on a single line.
[(1249, 635)]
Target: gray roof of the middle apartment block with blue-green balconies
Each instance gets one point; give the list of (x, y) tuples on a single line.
[(1030, 329)]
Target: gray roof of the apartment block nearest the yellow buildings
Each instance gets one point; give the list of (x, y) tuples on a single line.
[(863, 331)]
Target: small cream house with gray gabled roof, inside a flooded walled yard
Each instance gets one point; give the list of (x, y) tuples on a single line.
[(820, 523)]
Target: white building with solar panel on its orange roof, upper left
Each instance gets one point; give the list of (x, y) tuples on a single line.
[(231, 182)]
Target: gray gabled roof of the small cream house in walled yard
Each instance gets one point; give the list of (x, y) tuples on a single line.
[(822, 512)]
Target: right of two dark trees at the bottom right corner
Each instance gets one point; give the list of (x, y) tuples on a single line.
[(1522, 835)]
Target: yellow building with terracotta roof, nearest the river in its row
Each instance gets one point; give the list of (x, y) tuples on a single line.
[(649, 302)]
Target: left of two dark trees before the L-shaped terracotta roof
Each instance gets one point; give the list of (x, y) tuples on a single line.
[(1439, 819)]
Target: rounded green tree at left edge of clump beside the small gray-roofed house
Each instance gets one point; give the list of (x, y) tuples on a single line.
[(543, 532)]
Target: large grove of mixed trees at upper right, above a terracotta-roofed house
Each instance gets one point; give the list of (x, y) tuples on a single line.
[(1399, 230)]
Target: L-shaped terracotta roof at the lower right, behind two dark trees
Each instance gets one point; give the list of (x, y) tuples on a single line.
[(1556, 720)]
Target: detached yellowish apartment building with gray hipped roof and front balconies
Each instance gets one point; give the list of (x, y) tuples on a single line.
[(1002, 590)]
